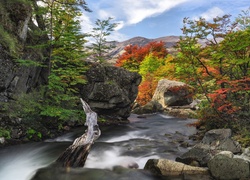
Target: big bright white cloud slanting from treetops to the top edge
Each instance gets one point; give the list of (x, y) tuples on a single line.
[(126, 12)]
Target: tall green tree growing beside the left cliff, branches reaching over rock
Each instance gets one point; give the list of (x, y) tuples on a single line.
[(58, 21)]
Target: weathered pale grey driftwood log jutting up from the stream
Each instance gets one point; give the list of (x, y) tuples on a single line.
[(76, 154)]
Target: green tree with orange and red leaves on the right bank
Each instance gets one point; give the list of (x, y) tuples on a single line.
[(215, 56)]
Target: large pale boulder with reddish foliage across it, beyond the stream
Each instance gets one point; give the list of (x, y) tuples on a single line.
[(173, 93)]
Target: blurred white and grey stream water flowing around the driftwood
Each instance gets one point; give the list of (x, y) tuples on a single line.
[(128, 145)]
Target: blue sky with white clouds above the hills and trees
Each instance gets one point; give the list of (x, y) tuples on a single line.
[(156, 18)]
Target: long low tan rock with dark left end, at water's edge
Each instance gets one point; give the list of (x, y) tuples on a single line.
[(167, 167)]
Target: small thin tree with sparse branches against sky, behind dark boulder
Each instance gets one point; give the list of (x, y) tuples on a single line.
[(100, 32)]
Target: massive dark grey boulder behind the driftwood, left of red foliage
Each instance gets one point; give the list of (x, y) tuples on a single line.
[(110, 91)]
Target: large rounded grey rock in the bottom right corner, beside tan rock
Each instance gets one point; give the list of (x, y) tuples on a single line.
[(225, 166)]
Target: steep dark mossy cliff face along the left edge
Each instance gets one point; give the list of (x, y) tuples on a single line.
[(15, 37)]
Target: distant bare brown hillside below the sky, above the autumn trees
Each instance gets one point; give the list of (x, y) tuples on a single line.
[(170, 41)]
